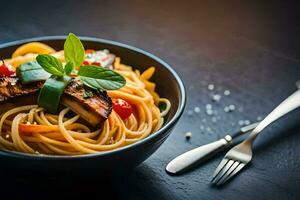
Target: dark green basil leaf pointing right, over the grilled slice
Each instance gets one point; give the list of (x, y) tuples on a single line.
[(100, 78)]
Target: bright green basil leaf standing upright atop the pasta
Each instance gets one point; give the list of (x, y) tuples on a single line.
[(74, 50)]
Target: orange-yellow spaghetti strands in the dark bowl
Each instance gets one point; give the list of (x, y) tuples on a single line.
[(33, 130)]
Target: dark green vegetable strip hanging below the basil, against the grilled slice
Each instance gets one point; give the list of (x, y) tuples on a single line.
[(51, 92)]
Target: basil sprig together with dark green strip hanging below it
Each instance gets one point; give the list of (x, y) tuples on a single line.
[(95, 77)]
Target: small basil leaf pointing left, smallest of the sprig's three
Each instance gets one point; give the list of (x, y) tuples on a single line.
[(50, 64)]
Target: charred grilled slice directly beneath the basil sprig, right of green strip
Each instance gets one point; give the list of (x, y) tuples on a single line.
[(94, 107)]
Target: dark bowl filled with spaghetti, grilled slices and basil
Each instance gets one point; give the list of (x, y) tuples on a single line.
[(83, 104)]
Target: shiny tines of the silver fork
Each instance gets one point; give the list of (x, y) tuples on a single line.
[(226, 169)]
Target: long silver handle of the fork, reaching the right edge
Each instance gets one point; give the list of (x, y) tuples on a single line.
[(289, 104)]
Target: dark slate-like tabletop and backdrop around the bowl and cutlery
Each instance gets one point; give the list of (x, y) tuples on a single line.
[(251, 48)]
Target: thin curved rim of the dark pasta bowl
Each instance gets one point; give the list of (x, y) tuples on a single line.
[(164, 128)]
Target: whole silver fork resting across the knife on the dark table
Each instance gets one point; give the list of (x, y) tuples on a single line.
[(241, 154)]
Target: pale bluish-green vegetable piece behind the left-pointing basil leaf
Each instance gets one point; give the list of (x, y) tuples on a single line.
[(31, 72)]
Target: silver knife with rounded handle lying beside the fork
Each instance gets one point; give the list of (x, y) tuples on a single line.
[(200, 154)]
